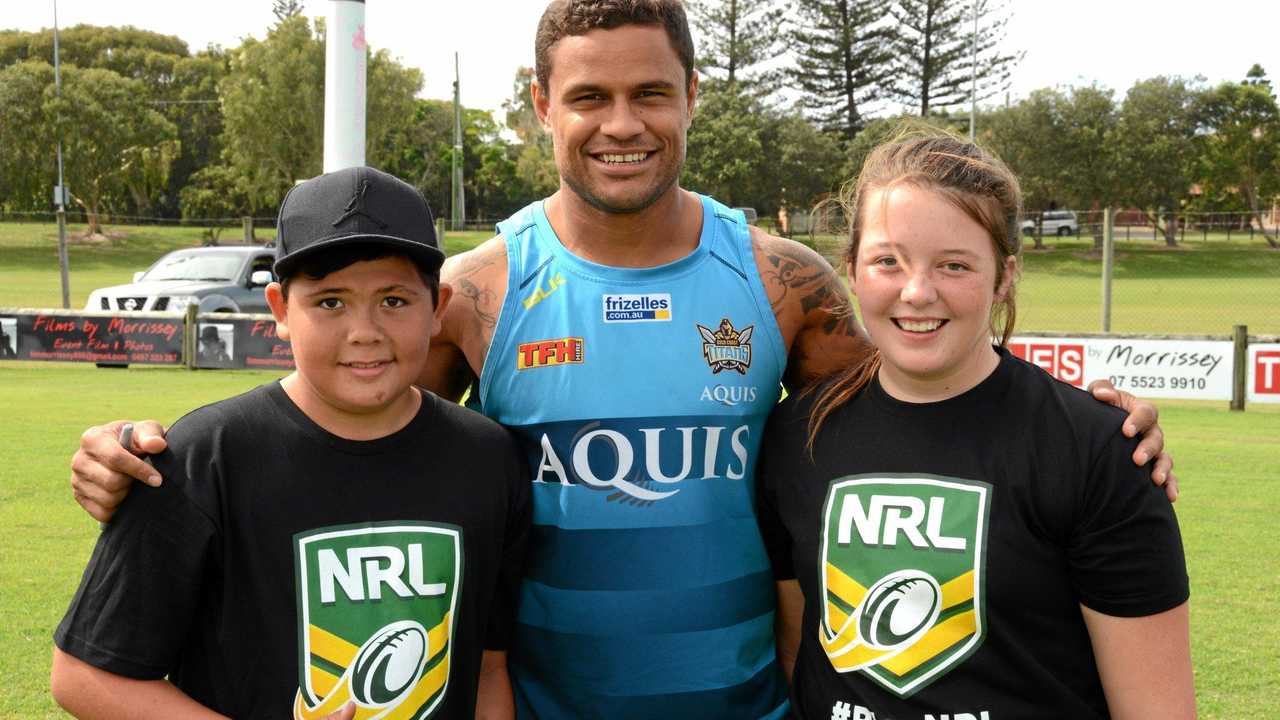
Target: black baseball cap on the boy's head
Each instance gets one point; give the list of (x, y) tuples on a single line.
[(355, 206)]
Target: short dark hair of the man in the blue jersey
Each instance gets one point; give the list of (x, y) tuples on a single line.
[(564, 19)]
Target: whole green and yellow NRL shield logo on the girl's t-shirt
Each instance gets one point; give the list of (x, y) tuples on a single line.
[(903, 575)]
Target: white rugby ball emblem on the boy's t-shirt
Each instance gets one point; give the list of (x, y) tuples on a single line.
[(390, 664)]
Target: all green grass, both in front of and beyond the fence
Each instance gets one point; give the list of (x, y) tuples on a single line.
[(1226, 461)]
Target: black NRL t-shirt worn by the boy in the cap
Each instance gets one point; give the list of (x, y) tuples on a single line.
[(282, 571)]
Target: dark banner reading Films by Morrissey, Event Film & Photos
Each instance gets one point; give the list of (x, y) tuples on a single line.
[(144, 339)]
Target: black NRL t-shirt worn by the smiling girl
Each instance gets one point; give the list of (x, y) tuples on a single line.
[(944, 549)]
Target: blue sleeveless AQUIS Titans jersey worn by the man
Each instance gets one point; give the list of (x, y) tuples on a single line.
[(641, 397)]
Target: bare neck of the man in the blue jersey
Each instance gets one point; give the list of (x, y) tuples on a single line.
[(661, 234)]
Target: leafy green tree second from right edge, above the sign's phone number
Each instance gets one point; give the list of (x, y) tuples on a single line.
[(1155, 149)]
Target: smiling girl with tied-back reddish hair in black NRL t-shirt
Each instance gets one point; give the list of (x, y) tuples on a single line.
[(954, 532)]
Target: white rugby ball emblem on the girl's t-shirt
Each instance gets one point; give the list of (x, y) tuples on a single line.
[(899, 609)]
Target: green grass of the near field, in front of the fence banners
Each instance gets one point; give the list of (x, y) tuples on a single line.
[(1228, 509)]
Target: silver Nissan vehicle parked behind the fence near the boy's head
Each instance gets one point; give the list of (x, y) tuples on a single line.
[(228, 279)]
